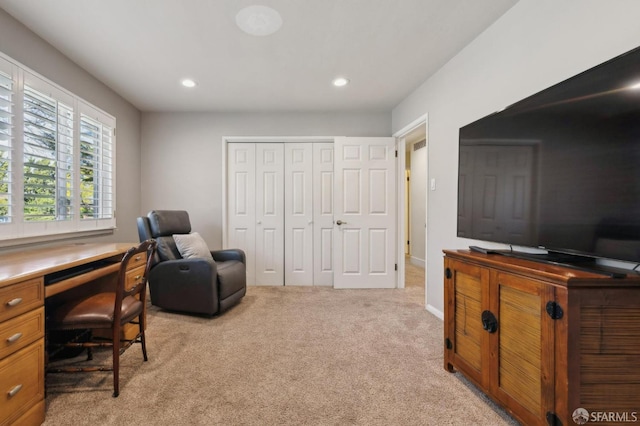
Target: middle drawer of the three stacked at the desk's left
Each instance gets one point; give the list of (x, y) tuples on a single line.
[(18, 332)]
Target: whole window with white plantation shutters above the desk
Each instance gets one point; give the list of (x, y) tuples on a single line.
[(57, 159)]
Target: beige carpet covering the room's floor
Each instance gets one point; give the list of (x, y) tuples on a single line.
[(284, 356)]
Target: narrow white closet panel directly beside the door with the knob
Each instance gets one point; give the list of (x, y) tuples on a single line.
[(323, 214)]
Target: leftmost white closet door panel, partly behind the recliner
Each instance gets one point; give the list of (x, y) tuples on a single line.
[(241, 202)]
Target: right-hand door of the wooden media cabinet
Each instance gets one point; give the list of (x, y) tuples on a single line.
[(523, 347)]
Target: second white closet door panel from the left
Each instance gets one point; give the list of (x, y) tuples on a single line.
[(269, 190)]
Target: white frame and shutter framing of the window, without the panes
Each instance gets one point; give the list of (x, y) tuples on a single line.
[(18, 231)]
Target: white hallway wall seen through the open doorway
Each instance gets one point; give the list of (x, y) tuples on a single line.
[(418, 205)]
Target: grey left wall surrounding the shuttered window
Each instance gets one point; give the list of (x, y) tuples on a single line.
[(18, 42)]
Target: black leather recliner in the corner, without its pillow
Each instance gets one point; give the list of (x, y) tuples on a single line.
[(192, 285)]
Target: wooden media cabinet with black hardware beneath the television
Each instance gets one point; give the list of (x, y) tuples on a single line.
[(542, 340)]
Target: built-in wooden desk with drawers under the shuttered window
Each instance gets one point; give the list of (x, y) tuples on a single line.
[(27, 278)]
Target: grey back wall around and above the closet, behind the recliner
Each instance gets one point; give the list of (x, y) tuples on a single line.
[(181, 154)]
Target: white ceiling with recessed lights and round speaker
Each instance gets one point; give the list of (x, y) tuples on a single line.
[(142, 49)]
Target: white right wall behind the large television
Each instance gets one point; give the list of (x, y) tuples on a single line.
[(534, 45)]
